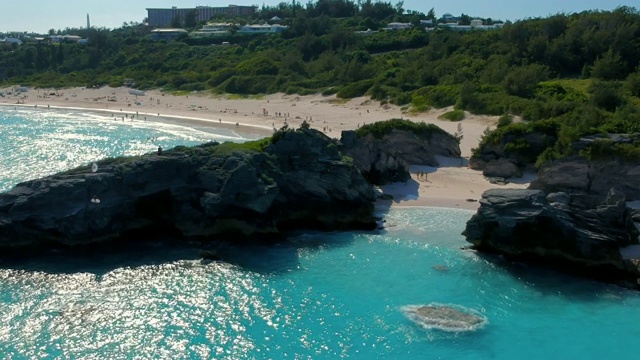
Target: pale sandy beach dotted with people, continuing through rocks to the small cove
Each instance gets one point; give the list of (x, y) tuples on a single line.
[(450, 185)]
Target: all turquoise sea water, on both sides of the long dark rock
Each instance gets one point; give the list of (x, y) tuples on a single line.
[(315, 296)]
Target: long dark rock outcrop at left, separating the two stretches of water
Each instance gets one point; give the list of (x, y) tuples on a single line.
[(215, 191)]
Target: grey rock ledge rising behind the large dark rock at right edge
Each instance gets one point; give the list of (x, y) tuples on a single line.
[(595, 177)]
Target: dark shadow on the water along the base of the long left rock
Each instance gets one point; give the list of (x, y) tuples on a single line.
[(266, 257)]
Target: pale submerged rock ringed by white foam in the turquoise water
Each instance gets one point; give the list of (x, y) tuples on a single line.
[(452, 318)]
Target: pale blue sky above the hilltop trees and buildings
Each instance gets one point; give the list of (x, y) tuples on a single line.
[(41, 15)]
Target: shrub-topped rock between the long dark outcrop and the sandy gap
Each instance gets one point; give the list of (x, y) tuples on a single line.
[(387, 158)]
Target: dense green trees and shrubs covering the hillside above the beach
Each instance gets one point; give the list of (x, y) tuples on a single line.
[(579, 70)]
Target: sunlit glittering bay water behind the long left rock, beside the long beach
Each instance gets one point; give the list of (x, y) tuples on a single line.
[(40, 143)]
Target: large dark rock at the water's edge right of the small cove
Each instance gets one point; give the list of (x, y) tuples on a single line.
[(576, 232)]
